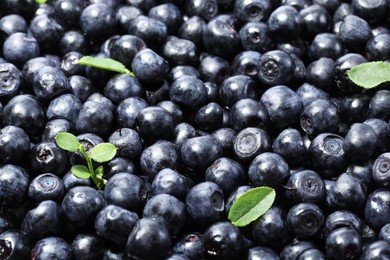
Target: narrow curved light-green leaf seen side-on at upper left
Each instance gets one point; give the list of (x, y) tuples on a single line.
[(105, 63)]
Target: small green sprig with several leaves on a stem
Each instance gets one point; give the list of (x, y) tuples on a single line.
[(100, 153)]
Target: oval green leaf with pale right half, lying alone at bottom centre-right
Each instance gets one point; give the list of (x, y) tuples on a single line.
[(251, 205)]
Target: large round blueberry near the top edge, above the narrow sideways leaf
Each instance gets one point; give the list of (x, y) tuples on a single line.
[(97, 21)]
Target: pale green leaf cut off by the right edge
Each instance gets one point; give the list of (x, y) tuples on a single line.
[(370, 74)]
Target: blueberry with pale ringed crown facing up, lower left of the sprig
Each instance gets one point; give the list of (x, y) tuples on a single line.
[(46, 186)]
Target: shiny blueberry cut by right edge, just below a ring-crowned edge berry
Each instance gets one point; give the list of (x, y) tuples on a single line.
[(376, 212)]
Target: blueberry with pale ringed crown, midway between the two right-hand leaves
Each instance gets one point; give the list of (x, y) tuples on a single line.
[(328, 155)]
